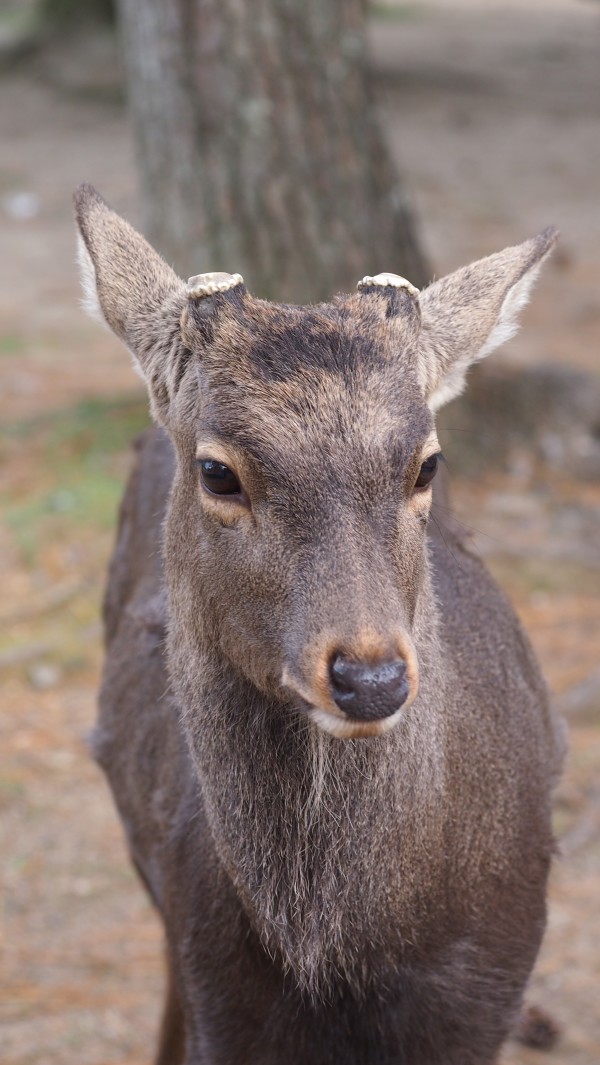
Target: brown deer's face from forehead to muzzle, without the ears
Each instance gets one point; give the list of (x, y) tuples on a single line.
[(305, 486)]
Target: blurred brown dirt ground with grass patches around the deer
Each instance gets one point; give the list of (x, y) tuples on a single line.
[(493, 114)]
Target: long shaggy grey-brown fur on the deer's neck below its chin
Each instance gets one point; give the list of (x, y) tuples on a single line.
[(329, 843)]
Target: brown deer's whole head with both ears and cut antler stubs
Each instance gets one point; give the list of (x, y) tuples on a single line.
[(306, 452)]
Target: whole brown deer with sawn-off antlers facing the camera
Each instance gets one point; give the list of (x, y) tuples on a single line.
[(326, 732)]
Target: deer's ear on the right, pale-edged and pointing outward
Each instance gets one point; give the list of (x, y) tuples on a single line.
[(469, 314)]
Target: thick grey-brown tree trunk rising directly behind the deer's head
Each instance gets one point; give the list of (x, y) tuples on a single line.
[(260, 148)]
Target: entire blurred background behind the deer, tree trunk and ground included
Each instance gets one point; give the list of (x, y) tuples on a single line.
[(304, 145)]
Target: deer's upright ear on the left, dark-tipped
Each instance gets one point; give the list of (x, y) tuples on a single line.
[(129, 287)]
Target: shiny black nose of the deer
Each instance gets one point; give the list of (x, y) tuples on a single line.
[(368, 692)]
